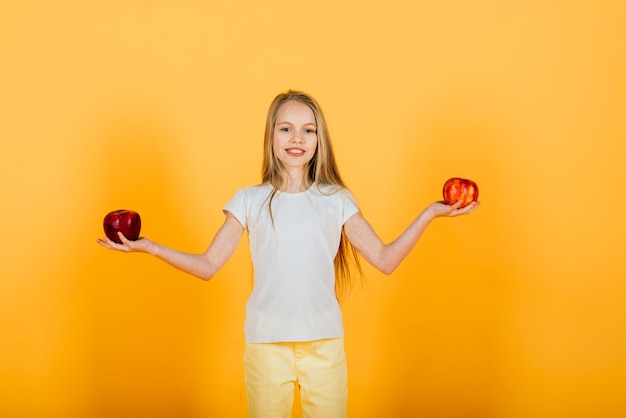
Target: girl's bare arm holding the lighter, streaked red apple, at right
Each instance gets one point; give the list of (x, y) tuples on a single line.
[(387, 257)]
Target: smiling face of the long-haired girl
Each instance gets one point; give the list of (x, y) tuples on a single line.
[(295, 135)]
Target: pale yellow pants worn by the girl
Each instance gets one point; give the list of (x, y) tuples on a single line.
[(317, 368)]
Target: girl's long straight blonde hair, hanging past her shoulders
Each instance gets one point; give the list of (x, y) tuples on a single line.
[(322, 169)]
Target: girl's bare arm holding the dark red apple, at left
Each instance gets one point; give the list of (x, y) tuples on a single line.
[(204, 266)]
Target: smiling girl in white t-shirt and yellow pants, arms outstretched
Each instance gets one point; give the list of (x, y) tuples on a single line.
[(305, 231)]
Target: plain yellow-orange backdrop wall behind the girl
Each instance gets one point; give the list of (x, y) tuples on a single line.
[(158, 106)]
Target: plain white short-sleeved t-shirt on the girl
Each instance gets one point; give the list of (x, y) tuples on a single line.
[(293, 298)]
